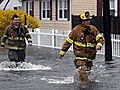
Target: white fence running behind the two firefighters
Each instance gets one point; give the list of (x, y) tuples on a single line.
[(54, 39)]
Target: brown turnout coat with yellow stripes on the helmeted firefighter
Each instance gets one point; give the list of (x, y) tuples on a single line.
[(84, 42)]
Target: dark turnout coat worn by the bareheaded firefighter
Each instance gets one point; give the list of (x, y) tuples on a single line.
[(15, 37)]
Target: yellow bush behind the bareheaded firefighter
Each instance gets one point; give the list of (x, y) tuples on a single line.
[(6, 19)]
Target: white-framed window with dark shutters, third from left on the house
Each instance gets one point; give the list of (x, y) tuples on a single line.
[(63, 10)]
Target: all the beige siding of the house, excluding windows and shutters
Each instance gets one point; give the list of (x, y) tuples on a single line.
[(76, 7)]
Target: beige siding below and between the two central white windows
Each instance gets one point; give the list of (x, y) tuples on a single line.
[(54, 24)]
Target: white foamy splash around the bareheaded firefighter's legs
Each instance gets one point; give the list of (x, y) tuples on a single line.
[(7, 66)]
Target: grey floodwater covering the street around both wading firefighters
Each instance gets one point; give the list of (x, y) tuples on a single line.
[(44, 71)]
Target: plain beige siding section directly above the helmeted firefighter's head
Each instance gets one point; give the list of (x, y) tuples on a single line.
[(79, 6)]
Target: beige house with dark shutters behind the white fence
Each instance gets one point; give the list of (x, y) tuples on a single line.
[(58, 13)]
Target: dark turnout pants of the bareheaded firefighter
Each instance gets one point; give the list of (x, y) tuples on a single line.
[(16, 55)]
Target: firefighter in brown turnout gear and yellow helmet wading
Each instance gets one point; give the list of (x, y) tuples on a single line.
[(86, 40)]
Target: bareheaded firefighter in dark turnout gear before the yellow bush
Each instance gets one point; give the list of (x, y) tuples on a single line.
[(14, 39)]
